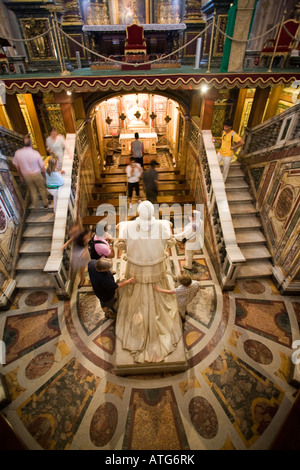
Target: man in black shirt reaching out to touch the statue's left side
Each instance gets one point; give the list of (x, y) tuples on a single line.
[(104, 285)]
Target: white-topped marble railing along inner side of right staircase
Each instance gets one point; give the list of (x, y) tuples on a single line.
[(229, 254)]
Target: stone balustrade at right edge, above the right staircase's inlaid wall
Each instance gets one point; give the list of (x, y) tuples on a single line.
[(280, 131)]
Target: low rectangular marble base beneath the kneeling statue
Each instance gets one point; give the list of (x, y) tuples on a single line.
[(125, 365)]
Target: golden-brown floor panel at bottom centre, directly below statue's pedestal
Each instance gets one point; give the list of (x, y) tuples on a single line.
[(154, 422)]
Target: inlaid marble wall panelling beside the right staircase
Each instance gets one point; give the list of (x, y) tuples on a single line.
[(275, 182)]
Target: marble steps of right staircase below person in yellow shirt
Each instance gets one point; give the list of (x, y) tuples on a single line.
[(247, 226)]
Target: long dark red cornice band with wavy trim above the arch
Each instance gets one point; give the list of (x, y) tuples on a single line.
[(155, 82)]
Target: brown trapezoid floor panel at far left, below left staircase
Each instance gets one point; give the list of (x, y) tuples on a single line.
[(26, 332)]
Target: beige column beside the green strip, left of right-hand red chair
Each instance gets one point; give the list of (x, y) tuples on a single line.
[(244, 14)]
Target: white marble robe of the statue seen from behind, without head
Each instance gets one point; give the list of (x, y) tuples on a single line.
[(148, 323)]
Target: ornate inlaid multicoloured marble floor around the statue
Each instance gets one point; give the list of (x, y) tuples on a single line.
[(234, 395)]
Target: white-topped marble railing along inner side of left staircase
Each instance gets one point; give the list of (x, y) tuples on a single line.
[(58, 263)]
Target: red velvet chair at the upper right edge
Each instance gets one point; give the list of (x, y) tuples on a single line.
[(284, 45)]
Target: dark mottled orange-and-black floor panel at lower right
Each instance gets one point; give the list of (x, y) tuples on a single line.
[(249, 399)]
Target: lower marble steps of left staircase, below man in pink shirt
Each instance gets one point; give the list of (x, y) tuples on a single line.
[(35, 250)]
